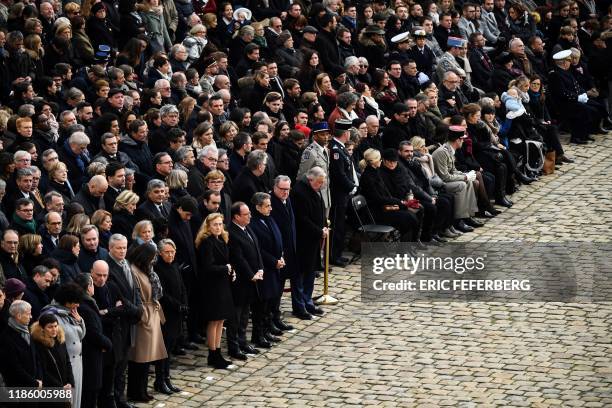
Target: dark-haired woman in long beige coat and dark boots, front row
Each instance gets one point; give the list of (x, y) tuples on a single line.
[(149, 344)]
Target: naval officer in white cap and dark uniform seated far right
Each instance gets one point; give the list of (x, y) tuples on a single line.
[(571, 99)]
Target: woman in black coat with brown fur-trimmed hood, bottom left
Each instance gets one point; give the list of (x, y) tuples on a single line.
[(49, 343)]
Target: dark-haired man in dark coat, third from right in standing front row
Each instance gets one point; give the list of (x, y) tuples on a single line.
[(271, 247)]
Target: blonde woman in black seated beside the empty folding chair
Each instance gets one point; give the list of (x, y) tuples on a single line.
[(385, 208)]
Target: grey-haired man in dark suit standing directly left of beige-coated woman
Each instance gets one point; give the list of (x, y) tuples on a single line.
[(120, 274)]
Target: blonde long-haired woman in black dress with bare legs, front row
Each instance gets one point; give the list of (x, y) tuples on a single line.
[(213, 259)]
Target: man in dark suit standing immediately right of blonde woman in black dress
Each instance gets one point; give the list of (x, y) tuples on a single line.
[(247, 262)]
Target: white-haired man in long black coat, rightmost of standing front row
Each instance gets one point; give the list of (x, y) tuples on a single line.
[(310, 228)]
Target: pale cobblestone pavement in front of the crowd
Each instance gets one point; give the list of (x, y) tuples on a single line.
[(444, 354)]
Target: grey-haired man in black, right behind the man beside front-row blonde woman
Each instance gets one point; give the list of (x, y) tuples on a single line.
[(249, 180)]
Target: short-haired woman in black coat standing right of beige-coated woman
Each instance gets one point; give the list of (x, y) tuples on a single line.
[(174, 305)]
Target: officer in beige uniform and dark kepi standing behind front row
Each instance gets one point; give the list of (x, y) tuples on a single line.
[(316, 154)]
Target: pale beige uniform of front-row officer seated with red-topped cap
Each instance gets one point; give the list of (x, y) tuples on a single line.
[(454, 182)]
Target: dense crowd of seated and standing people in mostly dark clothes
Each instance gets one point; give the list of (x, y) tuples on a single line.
[(168, 167)]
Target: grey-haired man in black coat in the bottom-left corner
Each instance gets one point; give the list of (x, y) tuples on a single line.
[(19, 366)]
